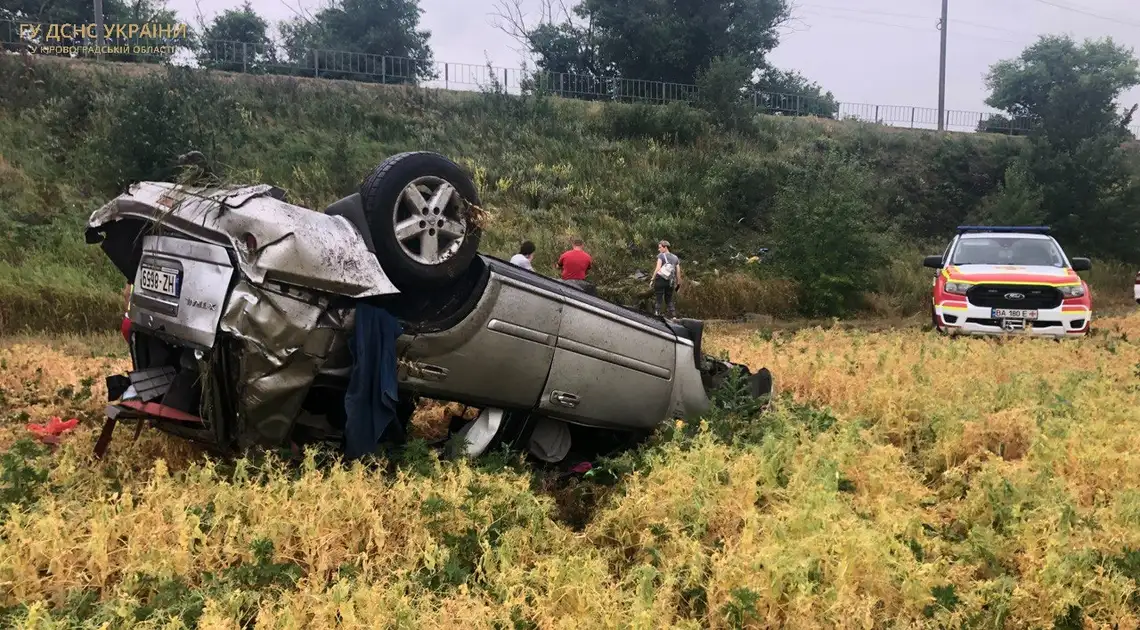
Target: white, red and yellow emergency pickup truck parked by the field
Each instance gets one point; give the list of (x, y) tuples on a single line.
[(997, 281)]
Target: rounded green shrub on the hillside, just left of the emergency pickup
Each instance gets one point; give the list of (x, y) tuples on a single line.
[(826, 233)]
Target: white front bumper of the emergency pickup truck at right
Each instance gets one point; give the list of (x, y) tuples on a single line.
[(967, 320)]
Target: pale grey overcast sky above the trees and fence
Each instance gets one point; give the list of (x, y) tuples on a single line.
[(866, 52)]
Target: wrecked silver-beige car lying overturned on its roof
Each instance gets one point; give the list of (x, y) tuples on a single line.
[(257, 323)]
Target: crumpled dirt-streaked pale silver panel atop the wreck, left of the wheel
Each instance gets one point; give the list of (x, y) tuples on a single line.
[(295, 244)]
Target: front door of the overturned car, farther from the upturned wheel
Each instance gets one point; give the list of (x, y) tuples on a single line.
[(613, 367)]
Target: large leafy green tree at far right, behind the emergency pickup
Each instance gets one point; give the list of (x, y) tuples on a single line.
[(1086, 183)]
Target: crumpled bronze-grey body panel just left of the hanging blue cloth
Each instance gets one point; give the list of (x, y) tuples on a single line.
[(287, 340)]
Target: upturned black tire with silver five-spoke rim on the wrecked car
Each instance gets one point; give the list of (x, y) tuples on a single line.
[(421, 244)]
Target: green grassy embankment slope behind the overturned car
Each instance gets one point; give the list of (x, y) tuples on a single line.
[(621, 176)]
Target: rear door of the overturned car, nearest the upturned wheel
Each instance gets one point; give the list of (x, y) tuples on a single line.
[(498, 356)]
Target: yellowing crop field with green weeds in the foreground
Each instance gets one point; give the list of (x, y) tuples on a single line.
[(903, 480)]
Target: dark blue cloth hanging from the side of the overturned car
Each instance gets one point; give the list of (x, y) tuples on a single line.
[(372, 396)]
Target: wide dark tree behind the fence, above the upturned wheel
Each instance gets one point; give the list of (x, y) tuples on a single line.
[(365, 40)]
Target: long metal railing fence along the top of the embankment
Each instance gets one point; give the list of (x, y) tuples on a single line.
[(378, 69)]
